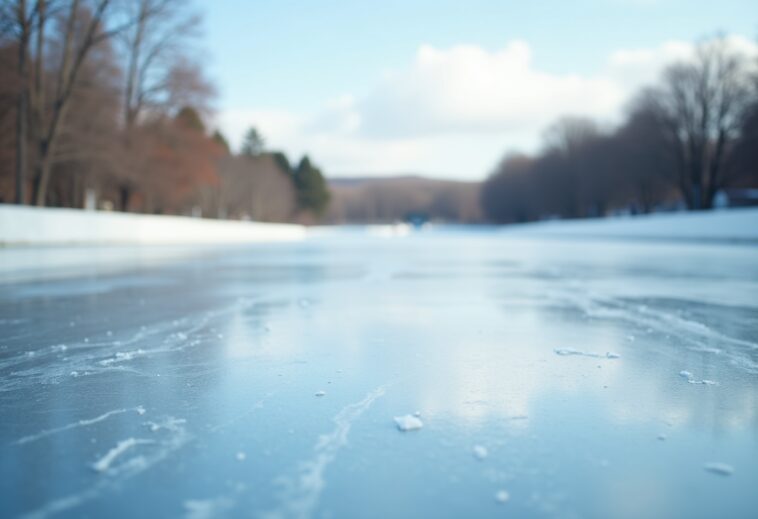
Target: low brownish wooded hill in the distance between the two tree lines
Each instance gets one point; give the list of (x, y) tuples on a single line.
[(402, 198)]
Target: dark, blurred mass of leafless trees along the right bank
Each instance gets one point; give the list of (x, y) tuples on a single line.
[(683, 140)]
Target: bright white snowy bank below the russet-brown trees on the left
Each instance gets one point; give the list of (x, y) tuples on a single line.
[(23, 225)]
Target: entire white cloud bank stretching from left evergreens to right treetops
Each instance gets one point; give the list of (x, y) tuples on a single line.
[(454, 112)]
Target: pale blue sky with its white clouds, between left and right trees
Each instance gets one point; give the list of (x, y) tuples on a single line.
[(363, 87)]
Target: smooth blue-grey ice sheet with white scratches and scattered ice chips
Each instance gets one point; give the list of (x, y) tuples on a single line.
[(553, 377)]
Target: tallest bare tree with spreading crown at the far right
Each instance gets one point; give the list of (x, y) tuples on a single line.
[(699, 105)]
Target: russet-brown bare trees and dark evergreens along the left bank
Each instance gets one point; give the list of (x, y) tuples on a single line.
[(109, 97)]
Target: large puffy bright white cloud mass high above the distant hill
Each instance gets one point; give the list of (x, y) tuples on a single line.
[(468, 89)]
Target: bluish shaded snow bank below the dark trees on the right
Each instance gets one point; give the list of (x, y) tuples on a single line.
[(723, 225)]
